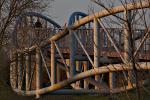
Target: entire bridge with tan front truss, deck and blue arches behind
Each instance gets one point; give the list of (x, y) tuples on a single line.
[(83, 57)]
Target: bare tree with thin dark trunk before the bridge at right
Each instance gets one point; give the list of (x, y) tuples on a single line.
[(129, 22)]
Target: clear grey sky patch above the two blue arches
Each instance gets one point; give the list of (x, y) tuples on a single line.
[(62, 9)]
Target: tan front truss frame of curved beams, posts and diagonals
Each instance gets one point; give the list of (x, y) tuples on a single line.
[(72, 76)]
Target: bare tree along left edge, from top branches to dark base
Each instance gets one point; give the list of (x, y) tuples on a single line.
[(9, 10)]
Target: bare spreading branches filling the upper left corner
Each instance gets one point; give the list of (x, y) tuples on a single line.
[(10, 9)]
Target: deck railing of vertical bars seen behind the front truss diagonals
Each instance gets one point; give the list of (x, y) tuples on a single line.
[(87, 39)]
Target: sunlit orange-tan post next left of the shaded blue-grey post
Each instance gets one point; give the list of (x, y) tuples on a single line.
[(53, 64)]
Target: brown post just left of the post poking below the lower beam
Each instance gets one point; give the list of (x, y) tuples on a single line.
[(28, 70)]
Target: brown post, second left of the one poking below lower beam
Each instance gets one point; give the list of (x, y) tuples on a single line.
[(19, 72)]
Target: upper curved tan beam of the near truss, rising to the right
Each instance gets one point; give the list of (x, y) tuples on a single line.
[(103, 13)]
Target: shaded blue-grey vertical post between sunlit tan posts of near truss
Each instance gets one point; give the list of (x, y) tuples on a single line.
[(72, 55)]
